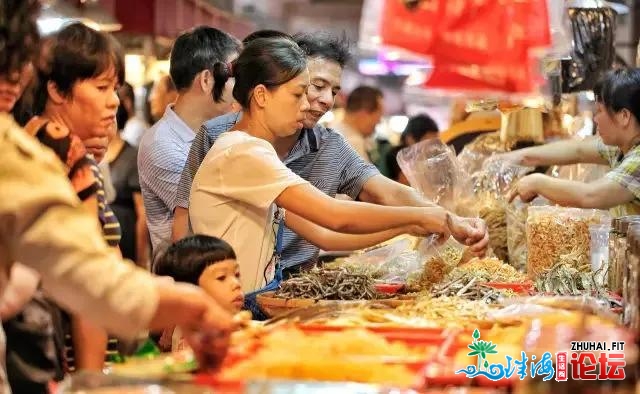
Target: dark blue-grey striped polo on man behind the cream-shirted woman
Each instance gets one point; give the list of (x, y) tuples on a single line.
[(321, 156)]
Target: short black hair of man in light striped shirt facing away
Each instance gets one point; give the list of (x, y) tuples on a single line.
[(198, 50)]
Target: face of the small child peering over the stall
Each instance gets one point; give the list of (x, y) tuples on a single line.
[(221, 281)]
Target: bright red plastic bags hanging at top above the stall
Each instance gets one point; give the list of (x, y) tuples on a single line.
[(475, 44)]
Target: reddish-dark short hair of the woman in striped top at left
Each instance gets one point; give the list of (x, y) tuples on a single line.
[(78, 53)]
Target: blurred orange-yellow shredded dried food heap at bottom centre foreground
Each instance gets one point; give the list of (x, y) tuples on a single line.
[(352, 355)]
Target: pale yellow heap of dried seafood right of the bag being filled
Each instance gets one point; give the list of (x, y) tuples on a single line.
[(487, 270)]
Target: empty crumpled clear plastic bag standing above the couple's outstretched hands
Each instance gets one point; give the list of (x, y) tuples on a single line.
[(431, 168)]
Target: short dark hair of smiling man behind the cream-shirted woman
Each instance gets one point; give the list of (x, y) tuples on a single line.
[(324, 45)]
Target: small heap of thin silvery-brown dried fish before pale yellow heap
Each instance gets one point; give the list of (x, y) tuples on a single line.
[(470, 288)]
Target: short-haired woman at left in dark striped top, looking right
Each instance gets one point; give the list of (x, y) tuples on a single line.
[(77, 98)]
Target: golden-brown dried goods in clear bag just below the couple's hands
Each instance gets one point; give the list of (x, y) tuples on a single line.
[(435, 268)]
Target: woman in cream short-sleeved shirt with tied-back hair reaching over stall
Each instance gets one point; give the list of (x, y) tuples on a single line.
[(242, 189)]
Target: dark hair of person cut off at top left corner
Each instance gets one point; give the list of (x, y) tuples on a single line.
[(19, 37)]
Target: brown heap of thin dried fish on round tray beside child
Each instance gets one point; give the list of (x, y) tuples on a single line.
[(323, 284)]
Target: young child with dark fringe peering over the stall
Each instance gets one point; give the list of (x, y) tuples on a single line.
[(204, 261)]
